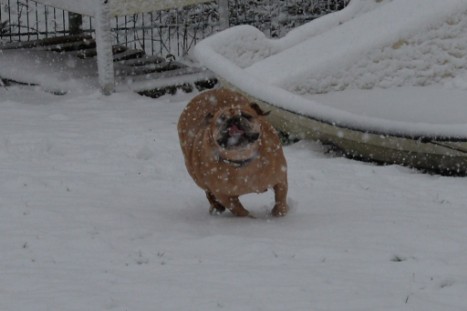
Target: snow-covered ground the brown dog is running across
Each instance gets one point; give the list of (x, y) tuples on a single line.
[(97, 212)]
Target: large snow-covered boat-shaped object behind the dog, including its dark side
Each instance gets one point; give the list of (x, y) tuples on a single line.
[(406, 47)]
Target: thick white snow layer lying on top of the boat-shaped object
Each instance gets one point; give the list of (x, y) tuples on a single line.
[(370, 44)]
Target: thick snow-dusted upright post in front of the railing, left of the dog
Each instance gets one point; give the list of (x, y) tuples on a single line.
[(104, 47)]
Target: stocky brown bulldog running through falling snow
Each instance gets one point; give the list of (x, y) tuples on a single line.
[(230, 150)]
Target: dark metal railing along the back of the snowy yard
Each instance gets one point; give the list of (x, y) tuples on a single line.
[(173, 31)]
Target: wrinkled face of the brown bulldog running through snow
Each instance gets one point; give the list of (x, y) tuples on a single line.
[(236, 128)]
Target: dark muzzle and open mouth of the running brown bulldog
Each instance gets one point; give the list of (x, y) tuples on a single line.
[(236, 132)]
